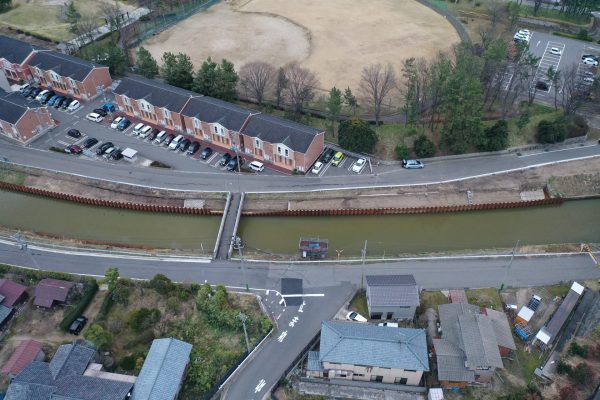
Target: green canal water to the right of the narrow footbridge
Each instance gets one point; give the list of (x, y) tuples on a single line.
[(389, 235)]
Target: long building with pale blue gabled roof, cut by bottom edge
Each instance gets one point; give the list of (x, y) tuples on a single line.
[(163, 371)]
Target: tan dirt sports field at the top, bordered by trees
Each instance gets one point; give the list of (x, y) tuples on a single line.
[(334, 38)]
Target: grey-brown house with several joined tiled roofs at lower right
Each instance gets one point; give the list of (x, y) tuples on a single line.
[(472, 344)]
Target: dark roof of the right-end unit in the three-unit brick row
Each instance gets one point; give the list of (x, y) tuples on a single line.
[(271, 129)]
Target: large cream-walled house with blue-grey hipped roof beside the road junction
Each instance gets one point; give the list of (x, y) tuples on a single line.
[(362, 352)]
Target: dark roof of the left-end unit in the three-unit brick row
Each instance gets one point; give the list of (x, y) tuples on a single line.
[(156, 93)]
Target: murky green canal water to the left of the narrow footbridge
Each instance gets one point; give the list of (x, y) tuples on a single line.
[(109, 225)]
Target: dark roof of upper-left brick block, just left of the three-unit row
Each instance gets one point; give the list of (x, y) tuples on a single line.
[(63, 65)]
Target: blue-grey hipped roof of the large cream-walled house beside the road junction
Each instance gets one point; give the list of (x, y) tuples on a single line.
[(364, 344)]
